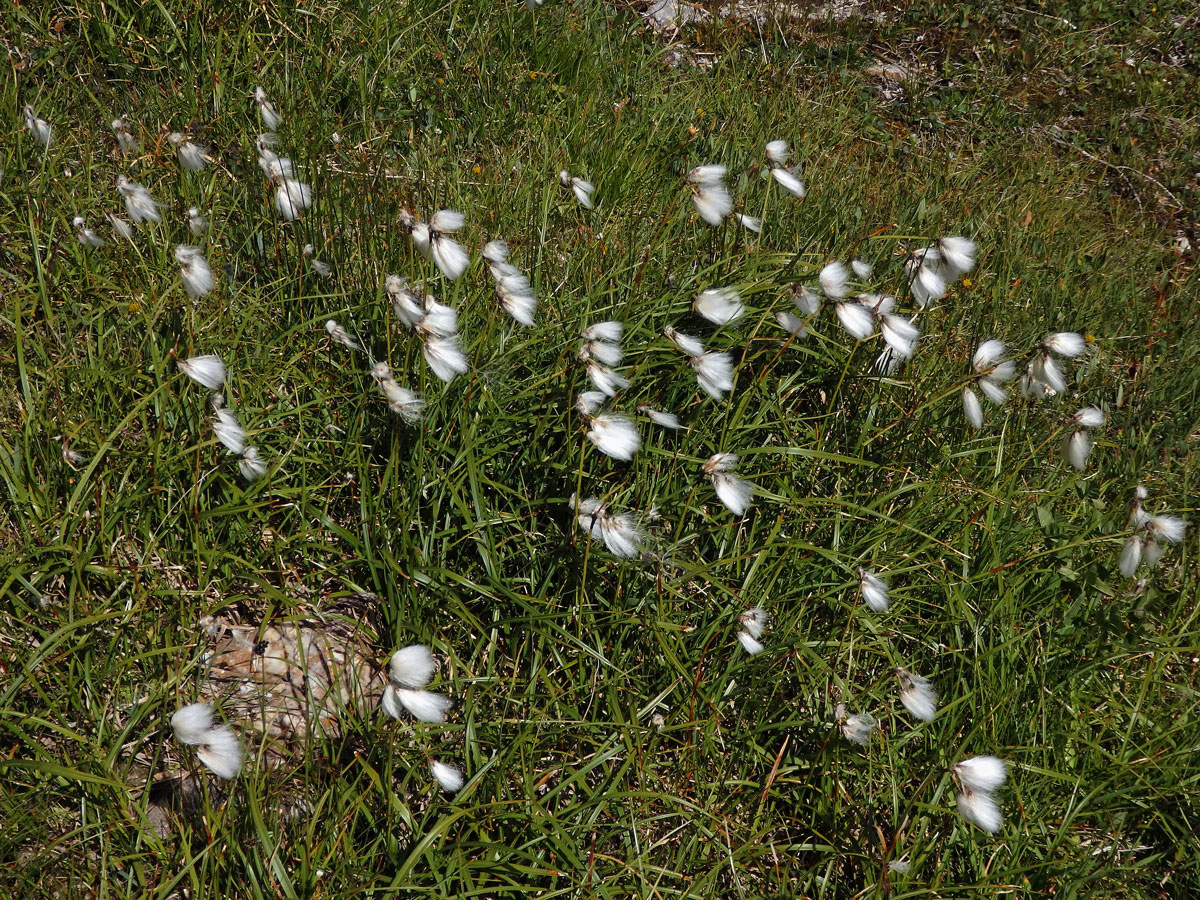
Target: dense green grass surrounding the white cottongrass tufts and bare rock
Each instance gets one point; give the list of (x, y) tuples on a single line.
[(617, 741)]
